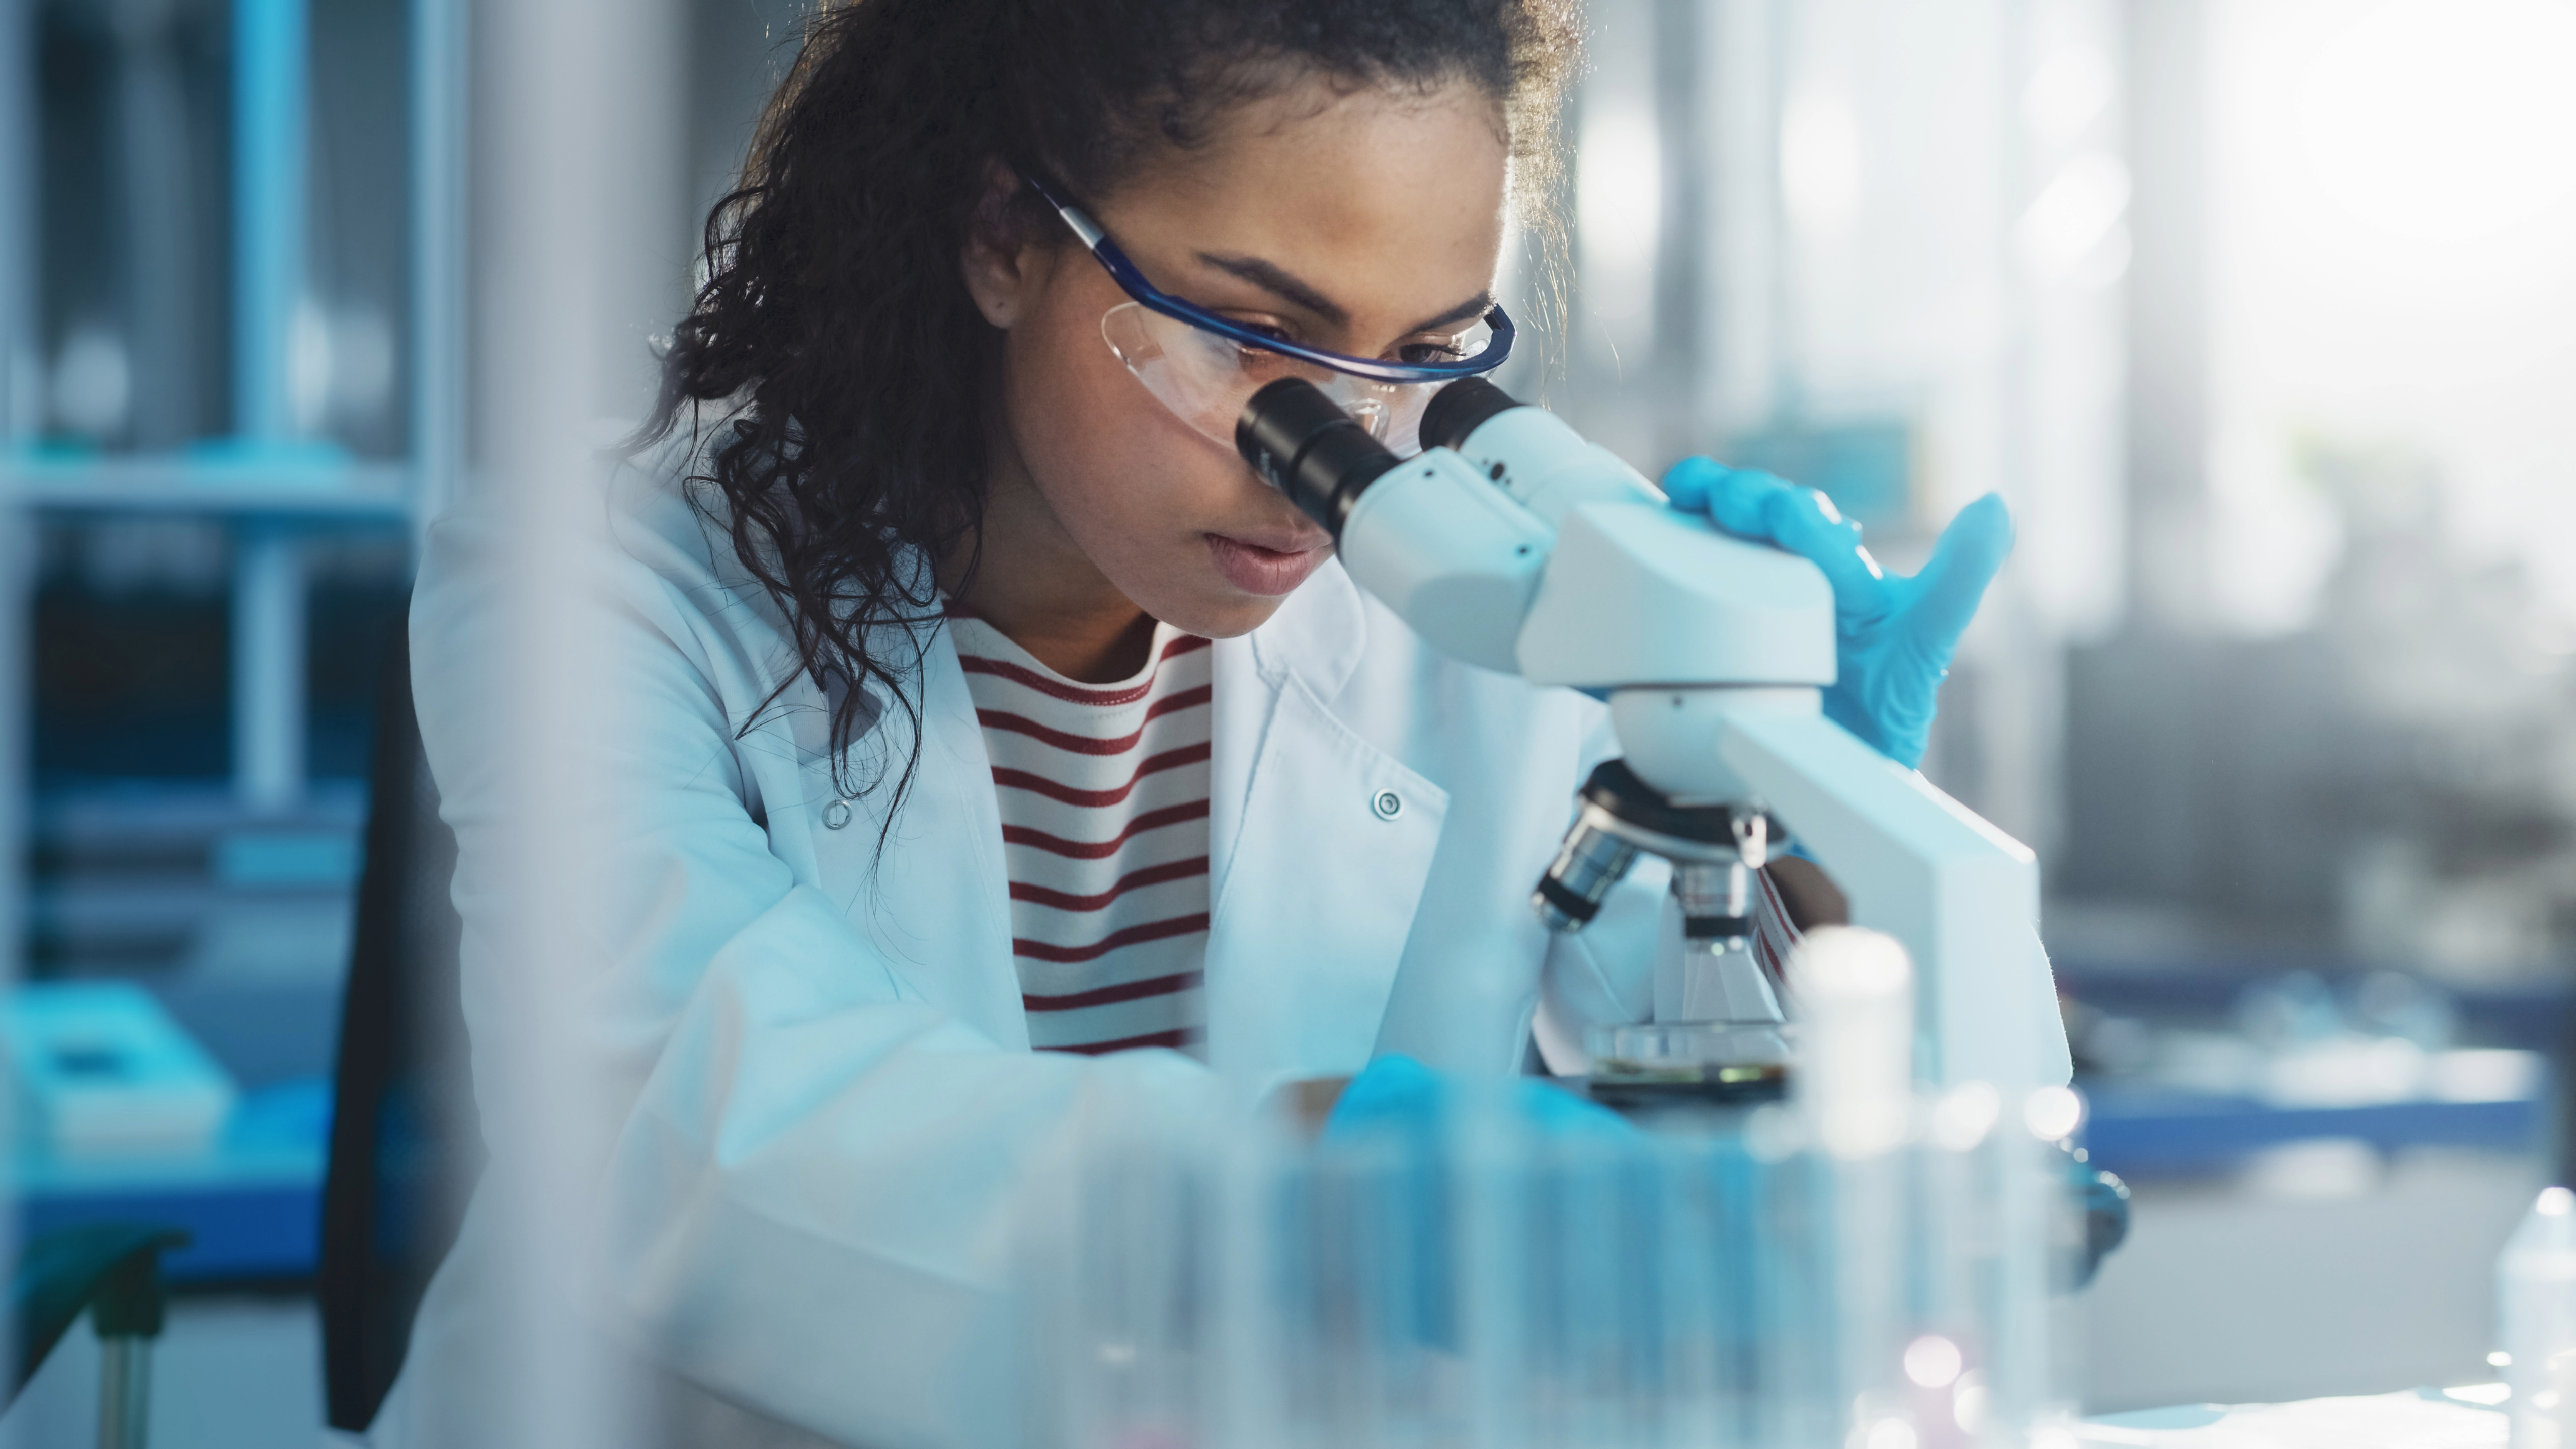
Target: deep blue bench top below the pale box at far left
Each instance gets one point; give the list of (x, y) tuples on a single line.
[(254, 1205)]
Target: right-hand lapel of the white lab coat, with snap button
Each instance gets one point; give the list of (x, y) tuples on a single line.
[(1320, 899)]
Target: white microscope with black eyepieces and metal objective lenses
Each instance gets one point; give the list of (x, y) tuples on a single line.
[(1516, 545)]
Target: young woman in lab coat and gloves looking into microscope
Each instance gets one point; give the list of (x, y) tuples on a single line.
[(993, 749)]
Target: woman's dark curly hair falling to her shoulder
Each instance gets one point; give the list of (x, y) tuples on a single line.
[(836, 326)]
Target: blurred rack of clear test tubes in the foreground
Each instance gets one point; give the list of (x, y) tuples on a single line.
[(1861, 1265)]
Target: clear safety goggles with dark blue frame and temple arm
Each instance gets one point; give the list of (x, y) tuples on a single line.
[(1207, 367)]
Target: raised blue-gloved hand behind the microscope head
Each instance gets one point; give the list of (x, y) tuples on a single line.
[(1892, 636)]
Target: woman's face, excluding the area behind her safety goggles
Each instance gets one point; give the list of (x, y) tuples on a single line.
[(1338, 220)]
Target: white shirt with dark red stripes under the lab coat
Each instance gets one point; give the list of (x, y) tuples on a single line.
[(1106, 839)]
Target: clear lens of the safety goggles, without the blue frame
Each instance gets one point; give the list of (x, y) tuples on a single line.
[(1207, 380)]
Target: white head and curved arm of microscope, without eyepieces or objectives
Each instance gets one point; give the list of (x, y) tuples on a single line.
[(1624, 592)]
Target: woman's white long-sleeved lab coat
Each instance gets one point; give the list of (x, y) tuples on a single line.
[(836, 1118)]
